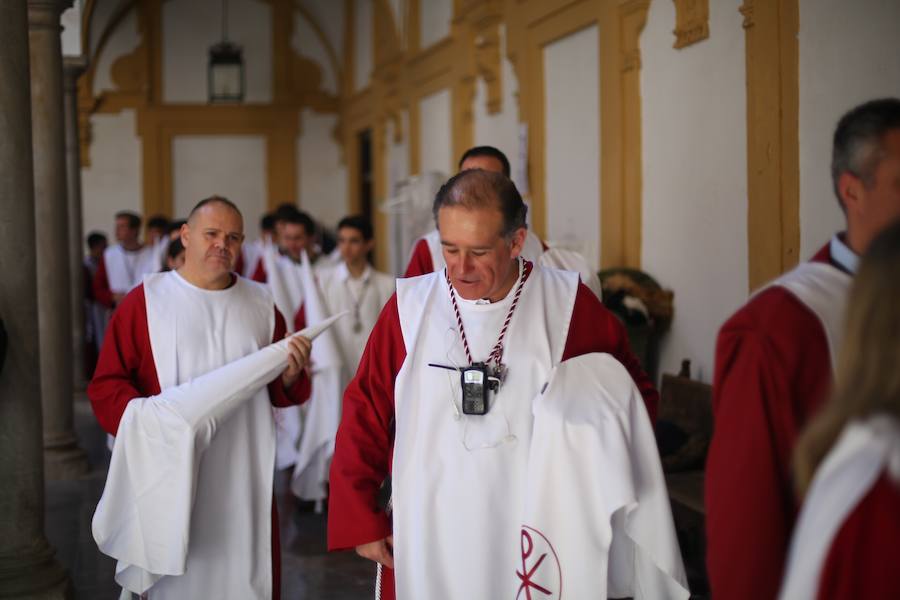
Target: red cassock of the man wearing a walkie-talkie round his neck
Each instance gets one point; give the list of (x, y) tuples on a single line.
[(364, 445)]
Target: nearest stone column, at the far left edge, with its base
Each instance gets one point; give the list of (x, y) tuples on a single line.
[(27, 566)]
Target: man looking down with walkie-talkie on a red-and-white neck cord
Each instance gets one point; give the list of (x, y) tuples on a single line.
[(442, 401)]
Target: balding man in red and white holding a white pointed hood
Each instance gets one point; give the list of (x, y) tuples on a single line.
[(179, 325)]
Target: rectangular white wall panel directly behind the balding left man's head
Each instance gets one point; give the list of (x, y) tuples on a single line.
[(230, 166)]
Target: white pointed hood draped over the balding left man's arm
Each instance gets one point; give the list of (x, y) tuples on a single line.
[(143, 517)]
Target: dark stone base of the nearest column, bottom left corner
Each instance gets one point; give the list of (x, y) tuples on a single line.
[(34, 574)]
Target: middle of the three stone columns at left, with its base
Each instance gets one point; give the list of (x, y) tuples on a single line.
[(63, 459)]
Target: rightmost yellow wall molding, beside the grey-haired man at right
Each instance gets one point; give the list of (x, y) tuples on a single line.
[(773, 204)]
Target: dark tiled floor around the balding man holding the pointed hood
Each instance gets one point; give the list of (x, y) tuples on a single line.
[(308, 571)]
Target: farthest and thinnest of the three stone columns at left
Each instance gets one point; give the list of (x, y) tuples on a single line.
[(72, 69)]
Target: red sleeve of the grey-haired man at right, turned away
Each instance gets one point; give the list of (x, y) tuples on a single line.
[(772, 370)]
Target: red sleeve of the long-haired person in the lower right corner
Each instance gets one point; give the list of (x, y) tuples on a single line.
[(862, 561)]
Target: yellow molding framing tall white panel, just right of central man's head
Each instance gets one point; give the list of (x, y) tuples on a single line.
[(533, 25)]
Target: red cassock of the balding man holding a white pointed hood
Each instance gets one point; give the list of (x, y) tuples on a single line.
[(125, 370)]
